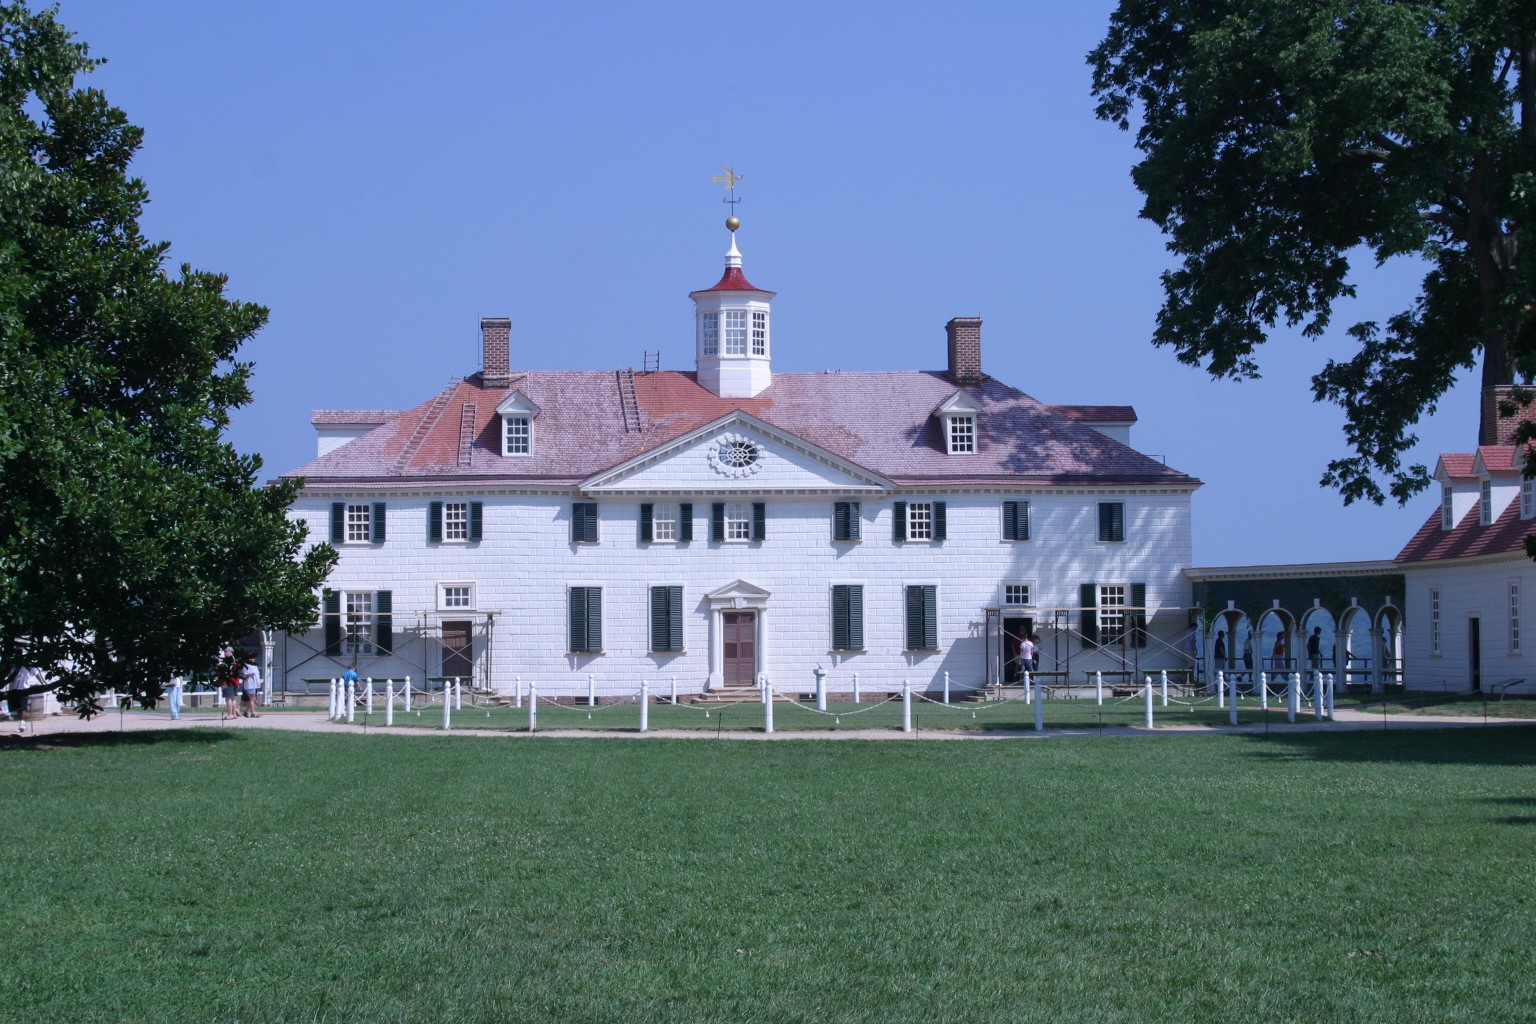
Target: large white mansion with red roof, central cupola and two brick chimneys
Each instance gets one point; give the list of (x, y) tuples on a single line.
[(727, 524)]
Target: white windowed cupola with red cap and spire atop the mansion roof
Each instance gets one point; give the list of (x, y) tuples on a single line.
[(732, 337)]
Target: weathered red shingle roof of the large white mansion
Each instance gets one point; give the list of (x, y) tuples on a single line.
[(881, 421)]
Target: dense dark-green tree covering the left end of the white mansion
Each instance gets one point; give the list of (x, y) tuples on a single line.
[(134, 541)]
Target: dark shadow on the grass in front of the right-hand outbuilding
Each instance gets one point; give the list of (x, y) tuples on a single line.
[(1491, 747)]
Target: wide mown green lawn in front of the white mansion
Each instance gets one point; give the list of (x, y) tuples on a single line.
[(254, 876)]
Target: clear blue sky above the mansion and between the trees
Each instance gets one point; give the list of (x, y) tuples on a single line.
[(383, 174)]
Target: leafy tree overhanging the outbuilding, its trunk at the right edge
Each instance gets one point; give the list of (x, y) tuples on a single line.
[(1283, 136)]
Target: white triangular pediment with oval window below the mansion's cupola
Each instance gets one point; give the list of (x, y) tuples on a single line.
[(738, 454)]
